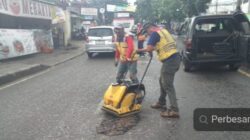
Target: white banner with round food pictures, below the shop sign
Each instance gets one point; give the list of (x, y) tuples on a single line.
[(14, 43)]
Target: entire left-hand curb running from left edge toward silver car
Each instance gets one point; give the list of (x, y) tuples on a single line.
[(10, 77)]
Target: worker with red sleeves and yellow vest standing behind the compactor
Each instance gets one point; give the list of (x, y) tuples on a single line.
[(125, 56)]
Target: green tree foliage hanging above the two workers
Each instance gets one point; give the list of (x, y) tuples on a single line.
[(169, 10)]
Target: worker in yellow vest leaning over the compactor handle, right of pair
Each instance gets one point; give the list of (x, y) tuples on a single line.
[(163, 43)]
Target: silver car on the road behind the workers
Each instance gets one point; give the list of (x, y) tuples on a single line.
[(100, 39)]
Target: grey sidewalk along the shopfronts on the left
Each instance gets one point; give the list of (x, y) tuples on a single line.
[(13, 69)]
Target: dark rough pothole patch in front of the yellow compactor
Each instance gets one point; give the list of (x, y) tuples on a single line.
[(112, 126)]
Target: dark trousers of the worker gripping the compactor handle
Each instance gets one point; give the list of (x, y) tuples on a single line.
[(168, 70)]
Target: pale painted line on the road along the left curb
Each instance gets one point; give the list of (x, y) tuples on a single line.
[(24, 79)]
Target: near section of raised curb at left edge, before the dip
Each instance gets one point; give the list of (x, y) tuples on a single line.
[(10, 77)]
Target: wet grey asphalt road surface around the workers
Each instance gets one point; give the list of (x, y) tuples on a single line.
[(64, 103)]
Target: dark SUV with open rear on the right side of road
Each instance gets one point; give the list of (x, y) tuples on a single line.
[(214, 40)]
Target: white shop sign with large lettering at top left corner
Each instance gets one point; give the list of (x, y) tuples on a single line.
[(25, 8)]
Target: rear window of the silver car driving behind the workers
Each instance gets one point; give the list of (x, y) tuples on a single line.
[(100, 32)]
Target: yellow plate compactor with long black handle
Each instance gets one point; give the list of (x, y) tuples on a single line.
[(126, 98)]
